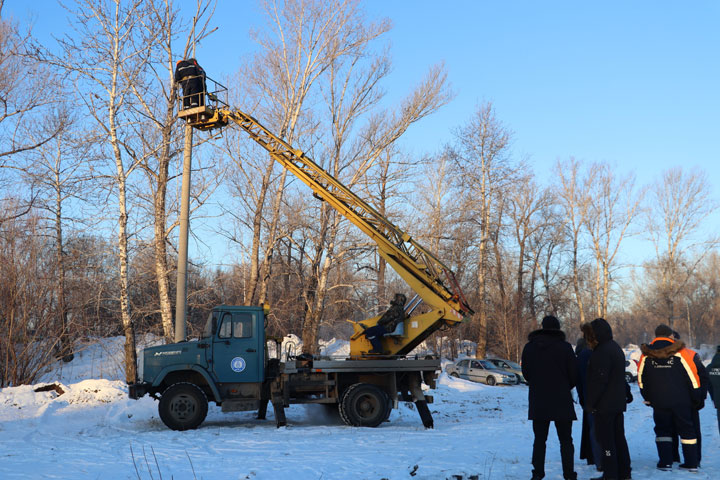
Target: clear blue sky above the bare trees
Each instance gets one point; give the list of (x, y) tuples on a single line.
[(632, 83)]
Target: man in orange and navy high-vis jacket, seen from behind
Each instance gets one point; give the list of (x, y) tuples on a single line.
[(669, 383)]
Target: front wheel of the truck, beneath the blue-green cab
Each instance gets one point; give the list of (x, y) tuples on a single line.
[(183, 406)]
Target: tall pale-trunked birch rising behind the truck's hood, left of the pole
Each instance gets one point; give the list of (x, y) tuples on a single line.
[(107, 54)]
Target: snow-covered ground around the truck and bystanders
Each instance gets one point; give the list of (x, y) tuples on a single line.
[(93, 430)]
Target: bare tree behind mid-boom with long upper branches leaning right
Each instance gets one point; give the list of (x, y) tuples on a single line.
[(352, 94)]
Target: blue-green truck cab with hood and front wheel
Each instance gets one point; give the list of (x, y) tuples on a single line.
[(226, 365)]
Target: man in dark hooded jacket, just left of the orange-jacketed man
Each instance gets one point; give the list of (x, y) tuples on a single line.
[(606, 398)]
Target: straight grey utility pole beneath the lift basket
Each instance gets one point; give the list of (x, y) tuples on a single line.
[(181, 299)]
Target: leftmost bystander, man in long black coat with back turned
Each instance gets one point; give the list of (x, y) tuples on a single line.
[(550, 368)]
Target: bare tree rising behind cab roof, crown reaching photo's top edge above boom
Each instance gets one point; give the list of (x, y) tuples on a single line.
[(303, 39)]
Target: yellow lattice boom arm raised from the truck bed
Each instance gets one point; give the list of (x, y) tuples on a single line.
[(424, 273)]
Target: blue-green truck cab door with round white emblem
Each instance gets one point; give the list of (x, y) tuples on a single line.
[(237, 348)]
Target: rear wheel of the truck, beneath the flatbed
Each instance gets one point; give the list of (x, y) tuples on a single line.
[(364, 405)]
